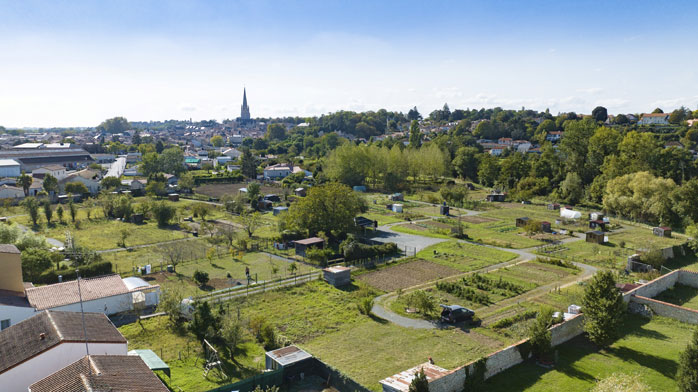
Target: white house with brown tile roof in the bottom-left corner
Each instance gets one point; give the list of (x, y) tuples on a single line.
[(49, 341)]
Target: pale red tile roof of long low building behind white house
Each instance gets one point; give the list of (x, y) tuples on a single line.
[(59, 294)]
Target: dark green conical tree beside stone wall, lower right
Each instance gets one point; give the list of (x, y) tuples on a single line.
[(603, 308)]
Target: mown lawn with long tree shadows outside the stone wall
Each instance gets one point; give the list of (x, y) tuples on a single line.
[(649, 349)]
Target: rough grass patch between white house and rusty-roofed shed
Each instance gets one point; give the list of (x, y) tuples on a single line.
[(181, 351)]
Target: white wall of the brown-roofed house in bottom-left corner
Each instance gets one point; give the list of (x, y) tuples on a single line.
[(20, 377)]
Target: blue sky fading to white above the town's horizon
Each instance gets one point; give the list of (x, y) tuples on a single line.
[(68, 63)]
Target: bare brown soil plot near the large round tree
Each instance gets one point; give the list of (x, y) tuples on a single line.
[(406, 275)]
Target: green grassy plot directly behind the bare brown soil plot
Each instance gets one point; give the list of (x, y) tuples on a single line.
[(464, 257)]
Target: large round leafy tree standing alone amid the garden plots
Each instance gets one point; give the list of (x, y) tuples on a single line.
[(329, 208)]
